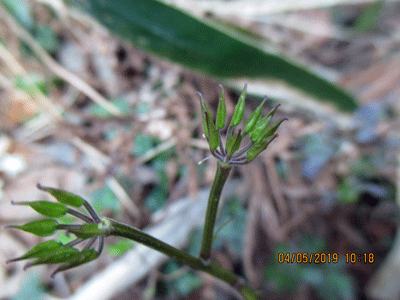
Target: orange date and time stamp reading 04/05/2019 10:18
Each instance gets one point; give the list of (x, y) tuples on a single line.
[(323, 258)]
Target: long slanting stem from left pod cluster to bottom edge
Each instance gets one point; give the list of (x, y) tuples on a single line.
[(212, 268)]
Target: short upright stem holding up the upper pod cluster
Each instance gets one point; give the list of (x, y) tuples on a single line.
[(220, 178)]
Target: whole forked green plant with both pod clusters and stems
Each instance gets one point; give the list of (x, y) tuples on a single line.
[(226, 149)]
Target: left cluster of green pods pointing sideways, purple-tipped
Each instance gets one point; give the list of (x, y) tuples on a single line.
[(54, 252)]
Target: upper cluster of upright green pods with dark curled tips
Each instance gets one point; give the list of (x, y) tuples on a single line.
[(258, 128)]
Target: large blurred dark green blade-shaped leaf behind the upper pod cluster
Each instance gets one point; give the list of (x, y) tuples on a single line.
[(206, 46)]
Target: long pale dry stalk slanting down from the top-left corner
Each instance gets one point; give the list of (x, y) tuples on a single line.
[(58, 69)]
